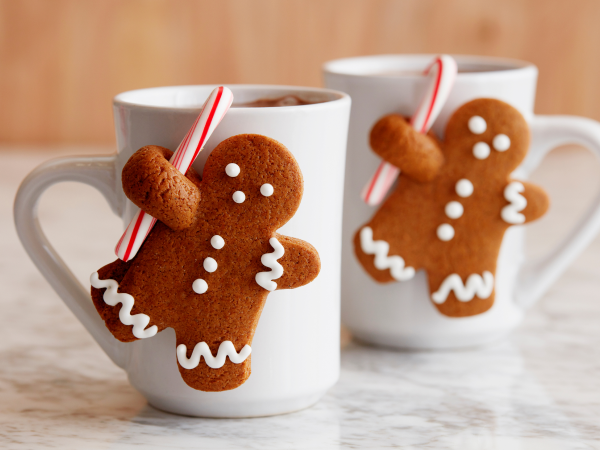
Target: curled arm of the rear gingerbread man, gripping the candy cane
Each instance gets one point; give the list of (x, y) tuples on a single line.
[(417, 155)]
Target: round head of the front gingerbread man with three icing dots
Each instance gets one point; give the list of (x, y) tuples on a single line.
[(256, 178)]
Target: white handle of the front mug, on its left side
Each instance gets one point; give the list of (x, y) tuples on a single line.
[(99, 172)]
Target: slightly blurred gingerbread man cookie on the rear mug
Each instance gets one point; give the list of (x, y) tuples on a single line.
[(452, 204)]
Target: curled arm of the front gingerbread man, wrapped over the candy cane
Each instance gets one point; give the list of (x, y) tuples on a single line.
[(154, 185)]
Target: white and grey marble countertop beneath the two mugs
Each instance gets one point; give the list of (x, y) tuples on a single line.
[(540, 389)]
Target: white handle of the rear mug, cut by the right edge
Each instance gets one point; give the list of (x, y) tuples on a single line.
[(547, 133)]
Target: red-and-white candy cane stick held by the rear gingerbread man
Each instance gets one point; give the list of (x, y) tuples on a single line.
[(443, 70)]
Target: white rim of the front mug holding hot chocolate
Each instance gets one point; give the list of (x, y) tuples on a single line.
[(336, 97)]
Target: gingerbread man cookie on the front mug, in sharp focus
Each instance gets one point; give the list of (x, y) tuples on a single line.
[(206, 268)]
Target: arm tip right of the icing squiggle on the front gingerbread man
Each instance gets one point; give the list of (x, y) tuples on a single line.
[(301, 263)]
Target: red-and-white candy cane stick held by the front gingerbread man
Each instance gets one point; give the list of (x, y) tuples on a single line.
[(212, 113)]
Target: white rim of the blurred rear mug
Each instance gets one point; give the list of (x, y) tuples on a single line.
[(498, 66)]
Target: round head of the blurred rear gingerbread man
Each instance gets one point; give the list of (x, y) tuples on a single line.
[(489, 133)]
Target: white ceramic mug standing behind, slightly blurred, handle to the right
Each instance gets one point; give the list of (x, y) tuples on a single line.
[(401, 314)]
